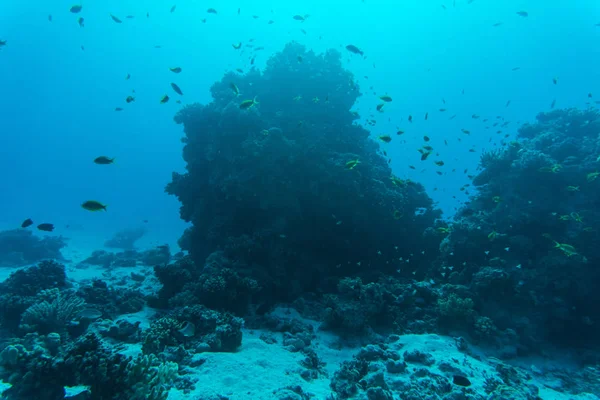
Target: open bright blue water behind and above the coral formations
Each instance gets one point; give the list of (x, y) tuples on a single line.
[(57, 104)]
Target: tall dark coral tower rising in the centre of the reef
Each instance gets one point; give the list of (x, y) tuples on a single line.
[(269, 187)]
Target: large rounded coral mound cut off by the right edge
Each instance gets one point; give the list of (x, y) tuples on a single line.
[(526, 245)]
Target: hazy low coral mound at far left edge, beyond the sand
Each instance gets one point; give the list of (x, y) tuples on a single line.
[(21, 247)]
